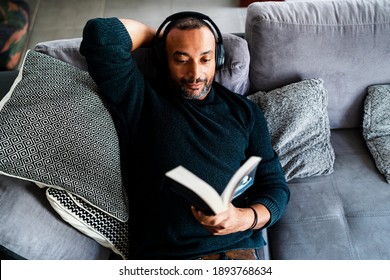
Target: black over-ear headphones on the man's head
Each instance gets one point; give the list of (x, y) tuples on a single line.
[(159, 41)]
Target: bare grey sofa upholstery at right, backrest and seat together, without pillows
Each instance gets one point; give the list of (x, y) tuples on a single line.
[(345, 215)]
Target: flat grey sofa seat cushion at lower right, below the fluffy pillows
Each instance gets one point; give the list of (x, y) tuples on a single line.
[(345, 215)]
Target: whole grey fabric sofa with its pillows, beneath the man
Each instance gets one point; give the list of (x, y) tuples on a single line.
[(319, 70)]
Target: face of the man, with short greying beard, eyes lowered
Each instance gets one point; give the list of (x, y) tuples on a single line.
[(191, 61)]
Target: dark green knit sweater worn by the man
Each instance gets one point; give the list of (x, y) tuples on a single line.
[(159, 130)]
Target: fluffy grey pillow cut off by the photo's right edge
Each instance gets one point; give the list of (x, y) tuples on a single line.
[(376, 126)]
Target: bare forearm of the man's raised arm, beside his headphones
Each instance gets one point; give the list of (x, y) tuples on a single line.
[(141, 34)]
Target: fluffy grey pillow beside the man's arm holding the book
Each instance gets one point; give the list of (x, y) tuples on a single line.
[(299, 127)]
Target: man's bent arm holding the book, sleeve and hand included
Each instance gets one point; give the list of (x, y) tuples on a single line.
[(268, 196)]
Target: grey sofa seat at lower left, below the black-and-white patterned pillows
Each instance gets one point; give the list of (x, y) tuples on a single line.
[(33, 230)]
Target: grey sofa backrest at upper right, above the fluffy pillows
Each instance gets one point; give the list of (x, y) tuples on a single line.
[(345, 43)]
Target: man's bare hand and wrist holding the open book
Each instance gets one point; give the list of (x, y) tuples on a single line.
[(232, 220)]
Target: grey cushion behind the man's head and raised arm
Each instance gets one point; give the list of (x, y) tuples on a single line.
[(234, 75)]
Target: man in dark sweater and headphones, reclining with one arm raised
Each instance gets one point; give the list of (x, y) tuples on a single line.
[(184, 118)]
